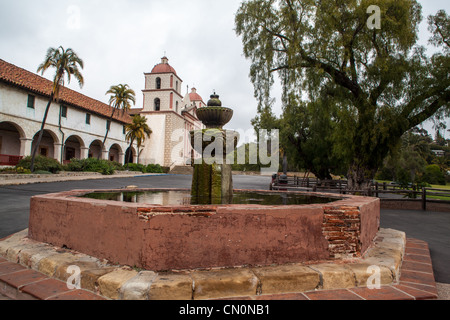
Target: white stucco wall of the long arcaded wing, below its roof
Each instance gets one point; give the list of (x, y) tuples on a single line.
[(13, 109)]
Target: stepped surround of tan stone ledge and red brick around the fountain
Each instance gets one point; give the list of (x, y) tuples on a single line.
[(33, 270)]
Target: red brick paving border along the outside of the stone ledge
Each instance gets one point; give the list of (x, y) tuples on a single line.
[(416, 283)]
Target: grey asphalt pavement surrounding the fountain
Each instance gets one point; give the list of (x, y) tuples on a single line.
[(431, 227)]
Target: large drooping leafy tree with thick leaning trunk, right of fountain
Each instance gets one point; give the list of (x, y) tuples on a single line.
[(379, 81)]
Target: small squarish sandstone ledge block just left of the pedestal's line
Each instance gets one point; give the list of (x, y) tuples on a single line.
[(171, 287)]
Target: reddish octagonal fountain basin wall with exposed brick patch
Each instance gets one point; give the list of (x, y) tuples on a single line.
[(158, 238)]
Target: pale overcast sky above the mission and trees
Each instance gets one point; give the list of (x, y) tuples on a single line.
[(120, 40)]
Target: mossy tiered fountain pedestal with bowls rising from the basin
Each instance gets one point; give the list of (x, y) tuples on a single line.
[(212, 181)]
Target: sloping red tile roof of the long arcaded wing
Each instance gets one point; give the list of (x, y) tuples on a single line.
[(24, 79)]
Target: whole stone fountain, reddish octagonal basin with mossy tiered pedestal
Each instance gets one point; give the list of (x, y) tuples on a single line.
[(210, 231)]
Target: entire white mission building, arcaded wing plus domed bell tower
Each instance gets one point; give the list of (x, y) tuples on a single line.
[(76, 124)]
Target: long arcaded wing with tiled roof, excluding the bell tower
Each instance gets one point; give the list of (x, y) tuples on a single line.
[(75, 126)]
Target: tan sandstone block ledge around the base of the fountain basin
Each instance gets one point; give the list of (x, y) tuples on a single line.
[(384, 259)]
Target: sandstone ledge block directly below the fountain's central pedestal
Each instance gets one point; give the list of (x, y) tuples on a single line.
[(224, 283)]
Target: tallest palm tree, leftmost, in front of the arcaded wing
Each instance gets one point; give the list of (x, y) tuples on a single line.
[(66, 62)]
